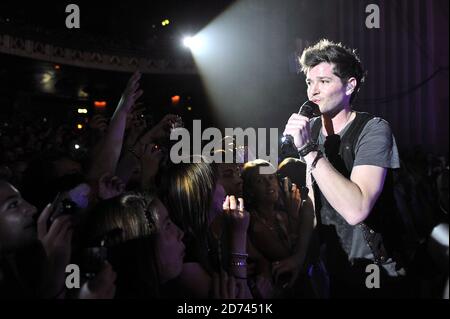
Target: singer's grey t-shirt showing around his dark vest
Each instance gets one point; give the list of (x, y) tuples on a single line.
[(375, 146)]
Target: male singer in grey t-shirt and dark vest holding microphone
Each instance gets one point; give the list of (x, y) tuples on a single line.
[(348, 156)]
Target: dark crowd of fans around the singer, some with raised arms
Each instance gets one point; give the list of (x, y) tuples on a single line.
[(140, 226)]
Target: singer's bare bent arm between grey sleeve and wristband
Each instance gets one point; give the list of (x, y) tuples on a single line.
[(352, 198)]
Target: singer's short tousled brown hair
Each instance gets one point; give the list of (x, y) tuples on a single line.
[(346, 62)]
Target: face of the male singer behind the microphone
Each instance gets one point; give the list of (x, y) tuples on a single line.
[(326, 89)]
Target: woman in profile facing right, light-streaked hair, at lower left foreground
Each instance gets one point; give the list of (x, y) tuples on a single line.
[(144, 247)]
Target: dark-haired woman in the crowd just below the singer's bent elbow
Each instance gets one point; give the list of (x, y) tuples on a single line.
[(275, 226)]
